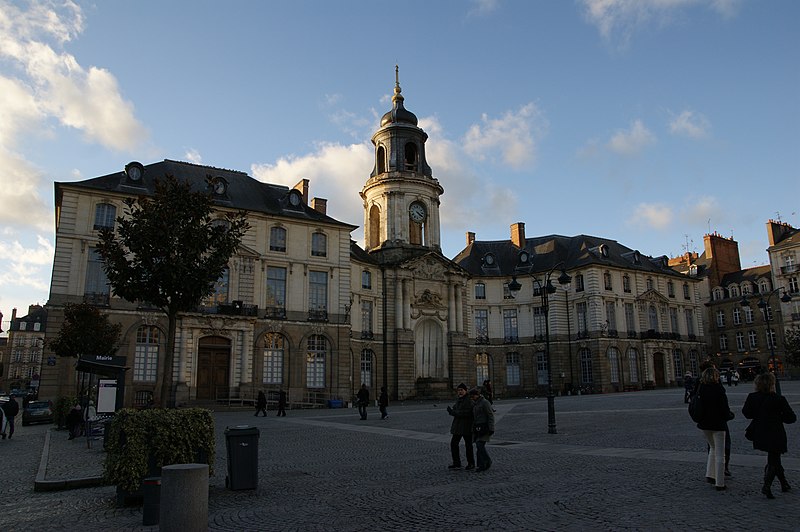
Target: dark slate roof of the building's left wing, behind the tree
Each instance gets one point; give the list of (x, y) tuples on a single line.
[(243, 191)]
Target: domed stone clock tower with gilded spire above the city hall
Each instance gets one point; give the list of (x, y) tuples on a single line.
[(401, 197)]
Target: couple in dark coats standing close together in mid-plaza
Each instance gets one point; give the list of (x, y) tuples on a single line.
[(473, 420)]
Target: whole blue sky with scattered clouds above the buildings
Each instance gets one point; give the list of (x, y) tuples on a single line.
[(648, 122)]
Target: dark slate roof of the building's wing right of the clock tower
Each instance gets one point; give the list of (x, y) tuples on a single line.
[(545, 252)]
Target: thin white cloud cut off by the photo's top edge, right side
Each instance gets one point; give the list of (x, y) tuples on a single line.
[(619, 19)]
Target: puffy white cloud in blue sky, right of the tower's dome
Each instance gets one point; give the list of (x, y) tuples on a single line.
[(515, 135)]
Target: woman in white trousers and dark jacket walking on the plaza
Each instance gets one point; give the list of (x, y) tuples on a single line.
[(714, 417)]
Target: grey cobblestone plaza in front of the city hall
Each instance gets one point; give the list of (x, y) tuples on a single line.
[(631, 461)]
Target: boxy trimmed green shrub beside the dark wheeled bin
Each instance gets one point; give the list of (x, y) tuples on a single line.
[(141, 442)]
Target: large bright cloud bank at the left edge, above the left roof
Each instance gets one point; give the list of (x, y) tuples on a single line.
[(41, 84)]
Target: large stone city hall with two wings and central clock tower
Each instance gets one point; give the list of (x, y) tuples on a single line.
[(304, 308)]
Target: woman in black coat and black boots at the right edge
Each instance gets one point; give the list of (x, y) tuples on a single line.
[(769, 411)]
